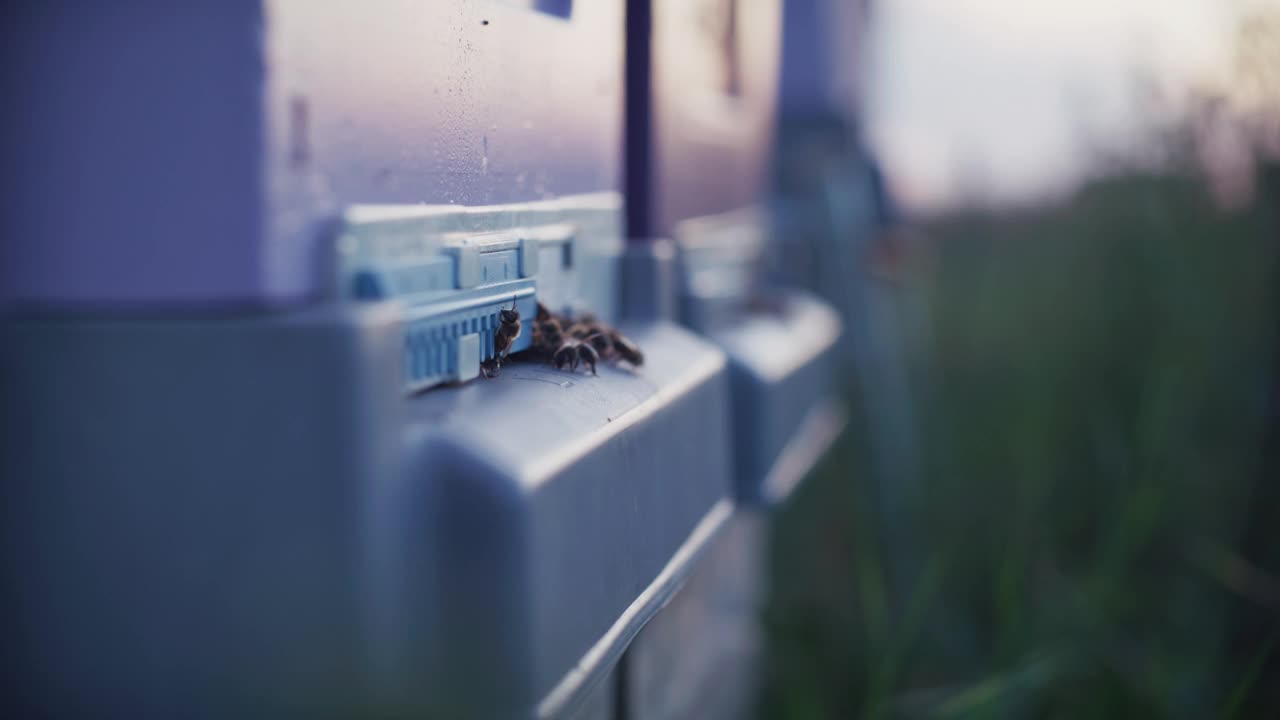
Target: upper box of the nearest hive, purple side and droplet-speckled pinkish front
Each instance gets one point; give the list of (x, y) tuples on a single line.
[(195, 153)]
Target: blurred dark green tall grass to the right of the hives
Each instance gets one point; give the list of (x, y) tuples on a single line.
[(1098, 526)]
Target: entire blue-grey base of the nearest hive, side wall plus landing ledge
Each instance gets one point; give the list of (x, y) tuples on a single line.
[(312, 540)]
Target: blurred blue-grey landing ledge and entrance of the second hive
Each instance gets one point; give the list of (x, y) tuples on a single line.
[(781, 347)]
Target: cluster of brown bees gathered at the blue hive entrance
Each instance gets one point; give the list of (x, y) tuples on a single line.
[(563, 341)]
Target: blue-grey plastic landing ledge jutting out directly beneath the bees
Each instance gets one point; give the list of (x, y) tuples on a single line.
[(550, 516)]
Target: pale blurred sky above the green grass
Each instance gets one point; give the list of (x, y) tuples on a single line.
[(1004, 99)]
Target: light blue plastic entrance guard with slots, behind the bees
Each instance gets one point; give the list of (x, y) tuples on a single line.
[(452, 270)]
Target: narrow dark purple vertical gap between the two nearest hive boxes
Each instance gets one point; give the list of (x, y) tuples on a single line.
[(638, 125)]
